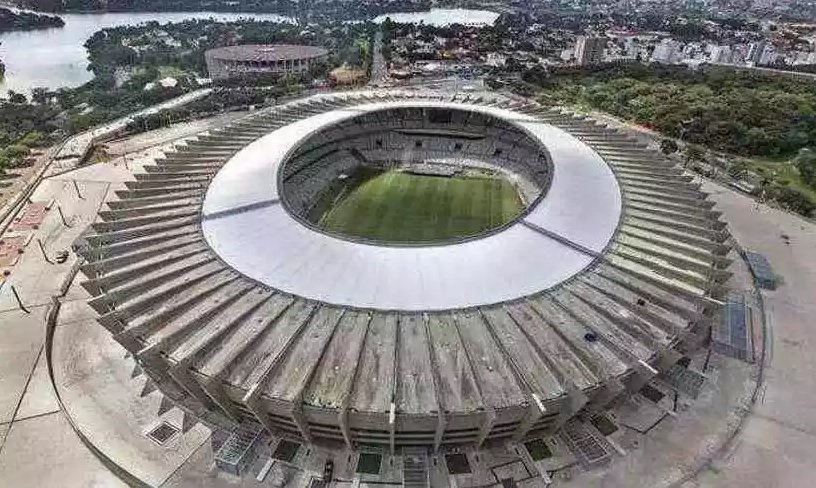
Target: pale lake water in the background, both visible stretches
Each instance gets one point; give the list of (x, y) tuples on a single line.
[(56, 58)]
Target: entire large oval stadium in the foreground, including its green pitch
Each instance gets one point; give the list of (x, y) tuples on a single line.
[(409, 272)]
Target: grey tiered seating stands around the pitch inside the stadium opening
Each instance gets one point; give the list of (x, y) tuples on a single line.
[(415, 137)]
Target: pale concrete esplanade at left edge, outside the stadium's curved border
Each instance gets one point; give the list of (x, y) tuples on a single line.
[(38, 447)]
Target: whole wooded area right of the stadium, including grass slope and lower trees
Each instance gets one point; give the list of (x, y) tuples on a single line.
[(761, 119)]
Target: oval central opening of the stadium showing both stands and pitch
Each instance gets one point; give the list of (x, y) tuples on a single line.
[(414, 176)]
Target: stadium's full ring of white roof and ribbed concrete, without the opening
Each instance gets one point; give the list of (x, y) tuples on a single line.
[(237, 310)]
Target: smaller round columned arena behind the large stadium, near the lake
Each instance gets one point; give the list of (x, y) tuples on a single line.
[(229, 61)]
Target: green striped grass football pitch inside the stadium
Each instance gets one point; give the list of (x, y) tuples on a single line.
[(401, 207)]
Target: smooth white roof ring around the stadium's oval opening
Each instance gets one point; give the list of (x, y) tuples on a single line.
[(247, 225)]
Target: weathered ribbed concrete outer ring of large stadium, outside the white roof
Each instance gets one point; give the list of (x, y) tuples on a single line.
[(230, 350)]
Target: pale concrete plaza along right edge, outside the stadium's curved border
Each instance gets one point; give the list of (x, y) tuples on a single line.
[(776, 445)]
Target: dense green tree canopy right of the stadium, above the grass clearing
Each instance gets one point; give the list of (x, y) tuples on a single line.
[(737, 111)]
